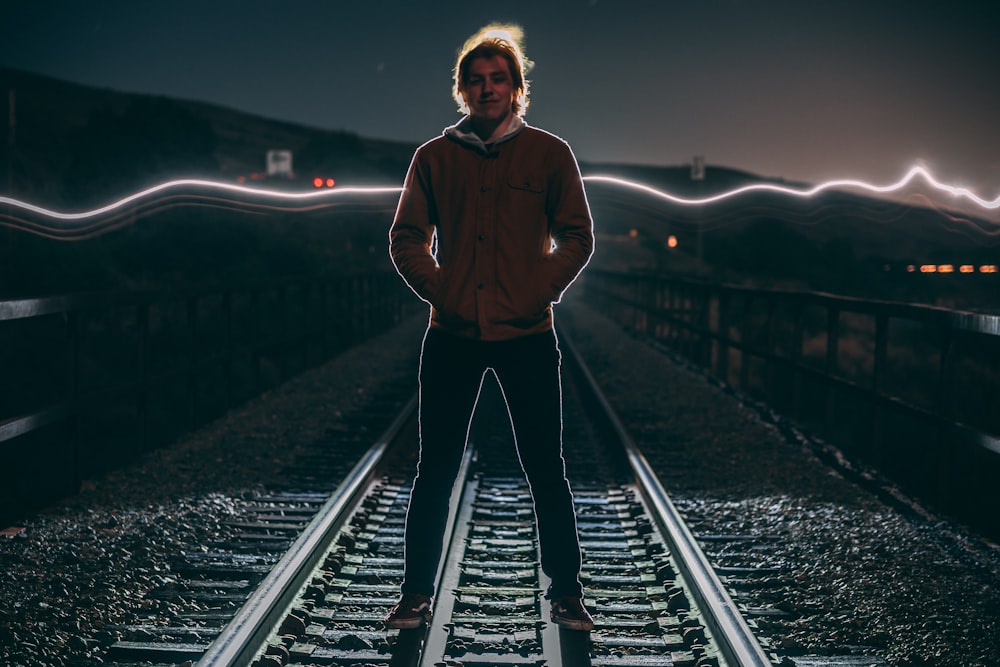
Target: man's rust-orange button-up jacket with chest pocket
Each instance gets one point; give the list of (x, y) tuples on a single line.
[(491, 237)]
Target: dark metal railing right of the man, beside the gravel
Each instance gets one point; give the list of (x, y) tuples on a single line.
[(910, 389)]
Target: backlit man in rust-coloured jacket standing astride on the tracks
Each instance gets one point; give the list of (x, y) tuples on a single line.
[(492, 226)]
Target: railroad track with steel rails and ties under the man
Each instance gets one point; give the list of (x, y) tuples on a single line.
[(318, 595)]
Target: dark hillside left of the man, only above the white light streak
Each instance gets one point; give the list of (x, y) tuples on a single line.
[(76, 146)]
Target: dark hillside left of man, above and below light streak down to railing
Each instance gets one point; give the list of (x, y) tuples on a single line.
[(77, 147)]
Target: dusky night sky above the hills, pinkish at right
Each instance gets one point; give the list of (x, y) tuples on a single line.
[(800, 89)]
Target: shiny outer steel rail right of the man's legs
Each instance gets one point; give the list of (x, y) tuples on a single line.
[(736, 641)]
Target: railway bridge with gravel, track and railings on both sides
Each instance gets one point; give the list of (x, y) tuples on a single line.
[(761, 477)]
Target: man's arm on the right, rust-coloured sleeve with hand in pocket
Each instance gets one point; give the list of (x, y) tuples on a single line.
[(570, 223)]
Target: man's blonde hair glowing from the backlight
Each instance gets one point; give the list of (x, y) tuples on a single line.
[(496, 39)]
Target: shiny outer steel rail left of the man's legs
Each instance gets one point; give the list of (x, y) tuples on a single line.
[(247, 632)]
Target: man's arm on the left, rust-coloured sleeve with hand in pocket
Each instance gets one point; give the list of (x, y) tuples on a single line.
[(412, 234)]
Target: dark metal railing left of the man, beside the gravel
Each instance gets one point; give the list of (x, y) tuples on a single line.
[(92, 380)]
